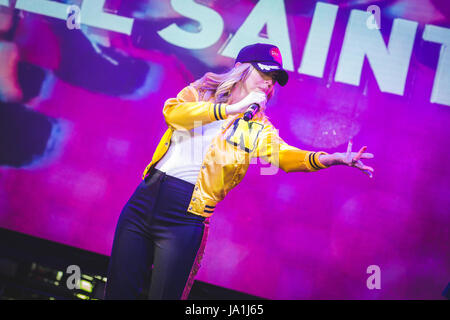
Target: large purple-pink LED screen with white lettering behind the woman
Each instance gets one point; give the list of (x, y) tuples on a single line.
[(81, 114)]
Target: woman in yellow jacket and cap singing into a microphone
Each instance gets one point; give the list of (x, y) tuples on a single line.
[(205, 152)]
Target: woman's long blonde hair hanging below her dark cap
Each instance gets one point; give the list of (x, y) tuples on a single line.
[(218, 87)]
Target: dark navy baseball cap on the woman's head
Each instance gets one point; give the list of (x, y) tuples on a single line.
[(266, 58)]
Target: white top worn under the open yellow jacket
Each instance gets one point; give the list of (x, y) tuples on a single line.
[(187, 150)]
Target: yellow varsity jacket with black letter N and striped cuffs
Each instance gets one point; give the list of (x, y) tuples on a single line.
[(231, 151)]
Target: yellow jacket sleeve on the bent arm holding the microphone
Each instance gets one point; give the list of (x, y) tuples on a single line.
[(186, 112)]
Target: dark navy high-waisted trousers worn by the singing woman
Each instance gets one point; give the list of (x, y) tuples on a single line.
[(157, 243)]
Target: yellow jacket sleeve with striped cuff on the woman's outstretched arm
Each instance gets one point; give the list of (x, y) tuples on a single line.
[(272, 148)]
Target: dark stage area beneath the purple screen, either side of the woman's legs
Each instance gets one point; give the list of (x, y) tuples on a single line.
[(32, 268)]
